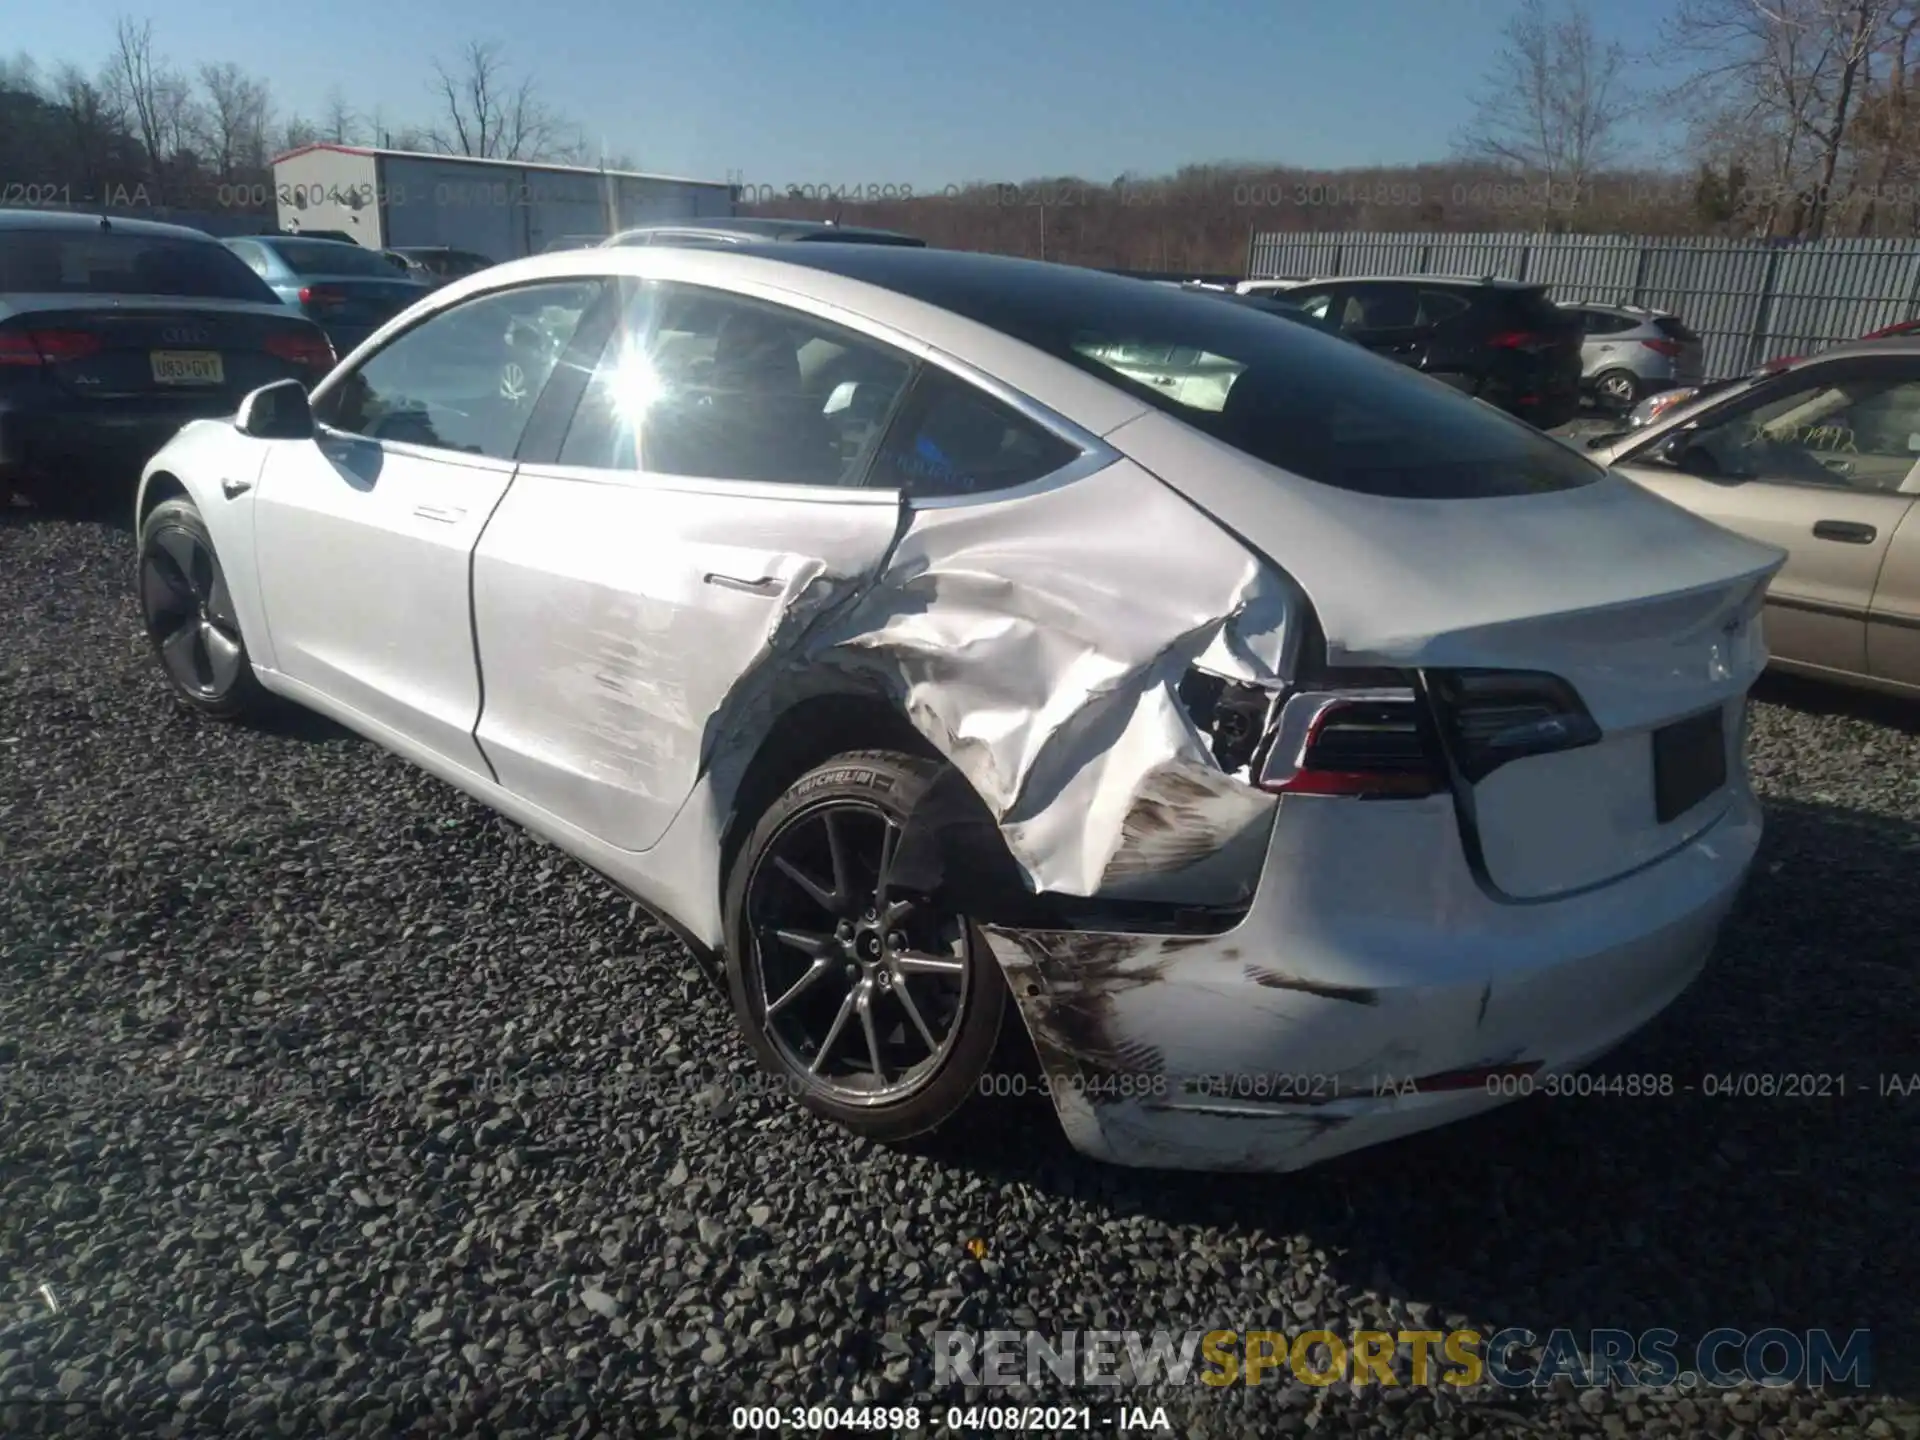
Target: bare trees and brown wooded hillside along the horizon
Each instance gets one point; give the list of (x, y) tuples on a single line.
[(1796, 120)]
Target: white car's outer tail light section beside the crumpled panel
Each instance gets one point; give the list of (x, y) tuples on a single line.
[(1364, 744)]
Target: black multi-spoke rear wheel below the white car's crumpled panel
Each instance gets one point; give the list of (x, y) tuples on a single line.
[(875, 1005)]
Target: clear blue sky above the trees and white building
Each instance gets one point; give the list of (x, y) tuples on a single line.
[(857, 93)]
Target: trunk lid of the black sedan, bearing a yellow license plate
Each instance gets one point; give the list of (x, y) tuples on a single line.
[(118, 347)]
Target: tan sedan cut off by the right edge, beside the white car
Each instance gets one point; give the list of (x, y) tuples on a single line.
[(1825, 462)]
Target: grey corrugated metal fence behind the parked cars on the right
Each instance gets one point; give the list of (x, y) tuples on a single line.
[(1750, 300)]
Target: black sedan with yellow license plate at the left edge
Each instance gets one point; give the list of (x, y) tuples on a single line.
[(118, 333)]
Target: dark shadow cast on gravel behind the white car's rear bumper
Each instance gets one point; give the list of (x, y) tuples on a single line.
[(1716, 1207)]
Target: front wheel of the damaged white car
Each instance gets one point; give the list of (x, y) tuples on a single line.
[(191, 617)]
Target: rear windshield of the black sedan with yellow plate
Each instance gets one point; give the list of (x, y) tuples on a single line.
[(101, 262)]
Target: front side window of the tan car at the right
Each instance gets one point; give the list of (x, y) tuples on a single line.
[(1858, 435)]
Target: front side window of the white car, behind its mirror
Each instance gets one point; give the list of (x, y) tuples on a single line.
[(468, 377)]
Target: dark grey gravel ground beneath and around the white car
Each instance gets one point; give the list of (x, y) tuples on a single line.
[(249, 982)]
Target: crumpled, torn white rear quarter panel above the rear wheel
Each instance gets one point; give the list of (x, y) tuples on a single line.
[(1040, 644)]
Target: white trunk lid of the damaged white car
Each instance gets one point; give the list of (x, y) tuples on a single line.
[(1646, 612)]
